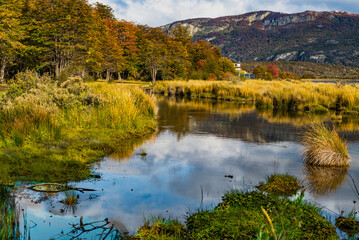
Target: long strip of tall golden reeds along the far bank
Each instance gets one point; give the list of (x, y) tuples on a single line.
[(292, 96)]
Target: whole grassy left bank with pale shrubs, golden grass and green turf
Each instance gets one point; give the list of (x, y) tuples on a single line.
[(52, 131)]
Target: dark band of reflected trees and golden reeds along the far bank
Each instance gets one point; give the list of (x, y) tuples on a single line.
[(182, 116)]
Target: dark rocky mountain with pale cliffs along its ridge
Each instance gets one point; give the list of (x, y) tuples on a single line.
[(320, 37)]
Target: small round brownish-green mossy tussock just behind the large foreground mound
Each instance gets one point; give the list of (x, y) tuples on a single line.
[(281, 185)]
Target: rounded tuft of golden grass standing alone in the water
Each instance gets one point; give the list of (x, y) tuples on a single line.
[(324, 147)]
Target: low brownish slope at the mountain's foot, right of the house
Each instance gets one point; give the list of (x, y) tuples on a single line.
[(318, 70)]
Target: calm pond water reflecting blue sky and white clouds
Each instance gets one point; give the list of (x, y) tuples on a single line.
[(197, 145)]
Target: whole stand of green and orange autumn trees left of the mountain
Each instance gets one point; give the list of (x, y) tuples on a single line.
[(72, 37)]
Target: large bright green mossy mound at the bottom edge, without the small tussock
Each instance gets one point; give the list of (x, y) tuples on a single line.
[(239, 216)]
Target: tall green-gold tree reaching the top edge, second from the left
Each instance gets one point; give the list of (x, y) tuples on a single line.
[(62, 29)]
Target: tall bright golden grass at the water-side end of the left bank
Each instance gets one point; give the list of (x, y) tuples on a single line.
[(124, 107)]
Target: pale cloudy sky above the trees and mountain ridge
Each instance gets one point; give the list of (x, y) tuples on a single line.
[(156, 13)]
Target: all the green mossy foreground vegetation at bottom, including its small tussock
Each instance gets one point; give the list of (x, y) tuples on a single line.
[(248, 215)]
